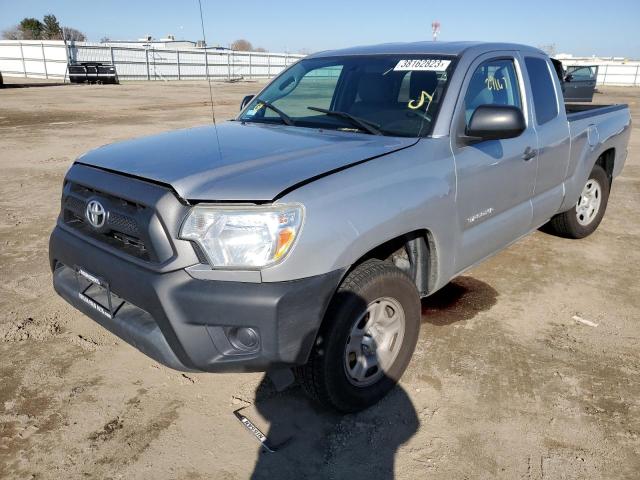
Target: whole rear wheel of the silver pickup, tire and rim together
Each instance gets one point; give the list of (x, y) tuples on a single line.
[(587, 213)]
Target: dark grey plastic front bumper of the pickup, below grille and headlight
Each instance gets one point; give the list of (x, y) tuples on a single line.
[(188, 324)]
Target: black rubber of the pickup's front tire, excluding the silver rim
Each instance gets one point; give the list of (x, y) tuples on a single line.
[(324, 376)]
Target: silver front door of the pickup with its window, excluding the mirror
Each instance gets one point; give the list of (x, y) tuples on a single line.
[(495, 178)]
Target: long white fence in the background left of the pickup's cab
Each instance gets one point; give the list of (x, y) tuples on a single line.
[(49, 59)]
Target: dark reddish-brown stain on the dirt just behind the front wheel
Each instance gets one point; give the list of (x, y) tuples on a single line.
[(461, 299)]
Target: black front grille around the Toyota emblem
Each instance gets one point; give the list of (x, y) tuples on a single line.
[(126, 223)]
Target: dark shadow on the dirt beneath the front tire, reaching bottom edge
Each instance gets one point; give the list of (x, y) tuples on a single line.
[(312, 442)]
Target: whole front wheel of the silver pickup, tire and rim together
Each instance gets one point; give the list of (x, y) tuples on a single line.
[(366, 340)]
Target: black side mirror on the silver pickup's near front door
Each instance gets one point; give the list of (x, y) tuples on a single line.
[(495, 122)]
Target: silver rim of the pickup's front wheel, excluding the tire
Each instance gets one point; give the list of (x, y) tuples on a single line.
[(375, 341)]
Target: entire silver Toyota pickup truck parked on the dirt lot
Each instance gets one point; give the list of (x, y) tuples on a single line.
[(300, 236)]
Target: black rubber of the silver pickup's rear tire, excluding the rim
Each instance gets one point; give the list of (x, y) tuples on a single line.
[(566, 224)]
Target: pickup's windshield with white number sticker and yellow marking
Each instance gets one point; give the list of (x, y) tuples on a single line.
[(396, 95)]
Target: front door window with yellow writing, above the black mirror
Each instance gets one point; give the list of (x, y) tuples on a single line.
[(494, 82)]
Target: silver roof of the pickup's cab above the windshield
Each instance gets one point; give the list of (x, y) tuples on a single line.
[(432, 48)]
